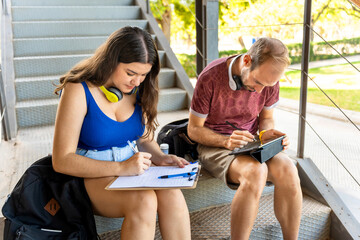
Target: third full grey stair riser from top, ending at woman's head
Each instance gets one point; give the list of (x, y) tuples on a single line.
[(57, 45)]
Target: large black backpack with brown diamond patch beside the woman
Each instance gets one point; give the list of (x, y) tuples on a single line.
[(48, 205)]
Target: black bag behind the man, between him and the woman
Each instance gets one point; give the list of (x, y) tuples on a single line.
[(175, 134)]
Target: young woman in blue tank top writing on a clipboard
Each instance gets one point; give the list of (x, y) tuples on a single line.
[(92, 132)]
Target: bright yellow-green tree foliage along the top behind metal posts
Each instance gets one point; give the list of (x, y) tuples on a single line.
[(283, 20)]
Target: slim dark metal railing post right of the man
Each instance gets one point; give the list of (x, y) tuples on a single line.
[(304, 78)]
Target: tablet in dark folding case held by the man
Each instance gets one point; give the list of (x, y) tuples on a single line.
[(261, 152)]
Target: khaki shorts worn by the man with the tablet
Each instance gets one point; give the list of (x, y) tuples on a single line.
[(217, 161)]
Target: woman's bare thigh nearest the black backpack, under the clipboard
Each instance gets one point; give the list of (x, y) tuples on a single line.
[(118, 203)]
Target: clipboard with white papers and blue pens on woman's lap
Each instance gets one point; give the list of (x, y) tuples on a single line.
[(150, 179)]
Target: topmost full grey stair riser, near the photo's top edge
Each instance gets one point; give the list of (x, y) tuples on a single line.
[(57, 13)]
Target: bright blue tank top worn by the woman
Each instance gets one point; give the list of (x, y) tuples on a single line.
[(99, 132)]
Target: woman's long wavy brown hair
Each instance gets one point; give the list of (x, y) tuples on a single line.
[(126, 45)]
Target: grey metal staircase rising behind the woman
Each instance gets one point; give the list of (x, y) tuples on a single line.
[(49, 37)]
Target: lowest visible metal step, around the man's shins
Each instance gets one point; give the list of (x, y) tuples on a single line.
[(215, 221)]
